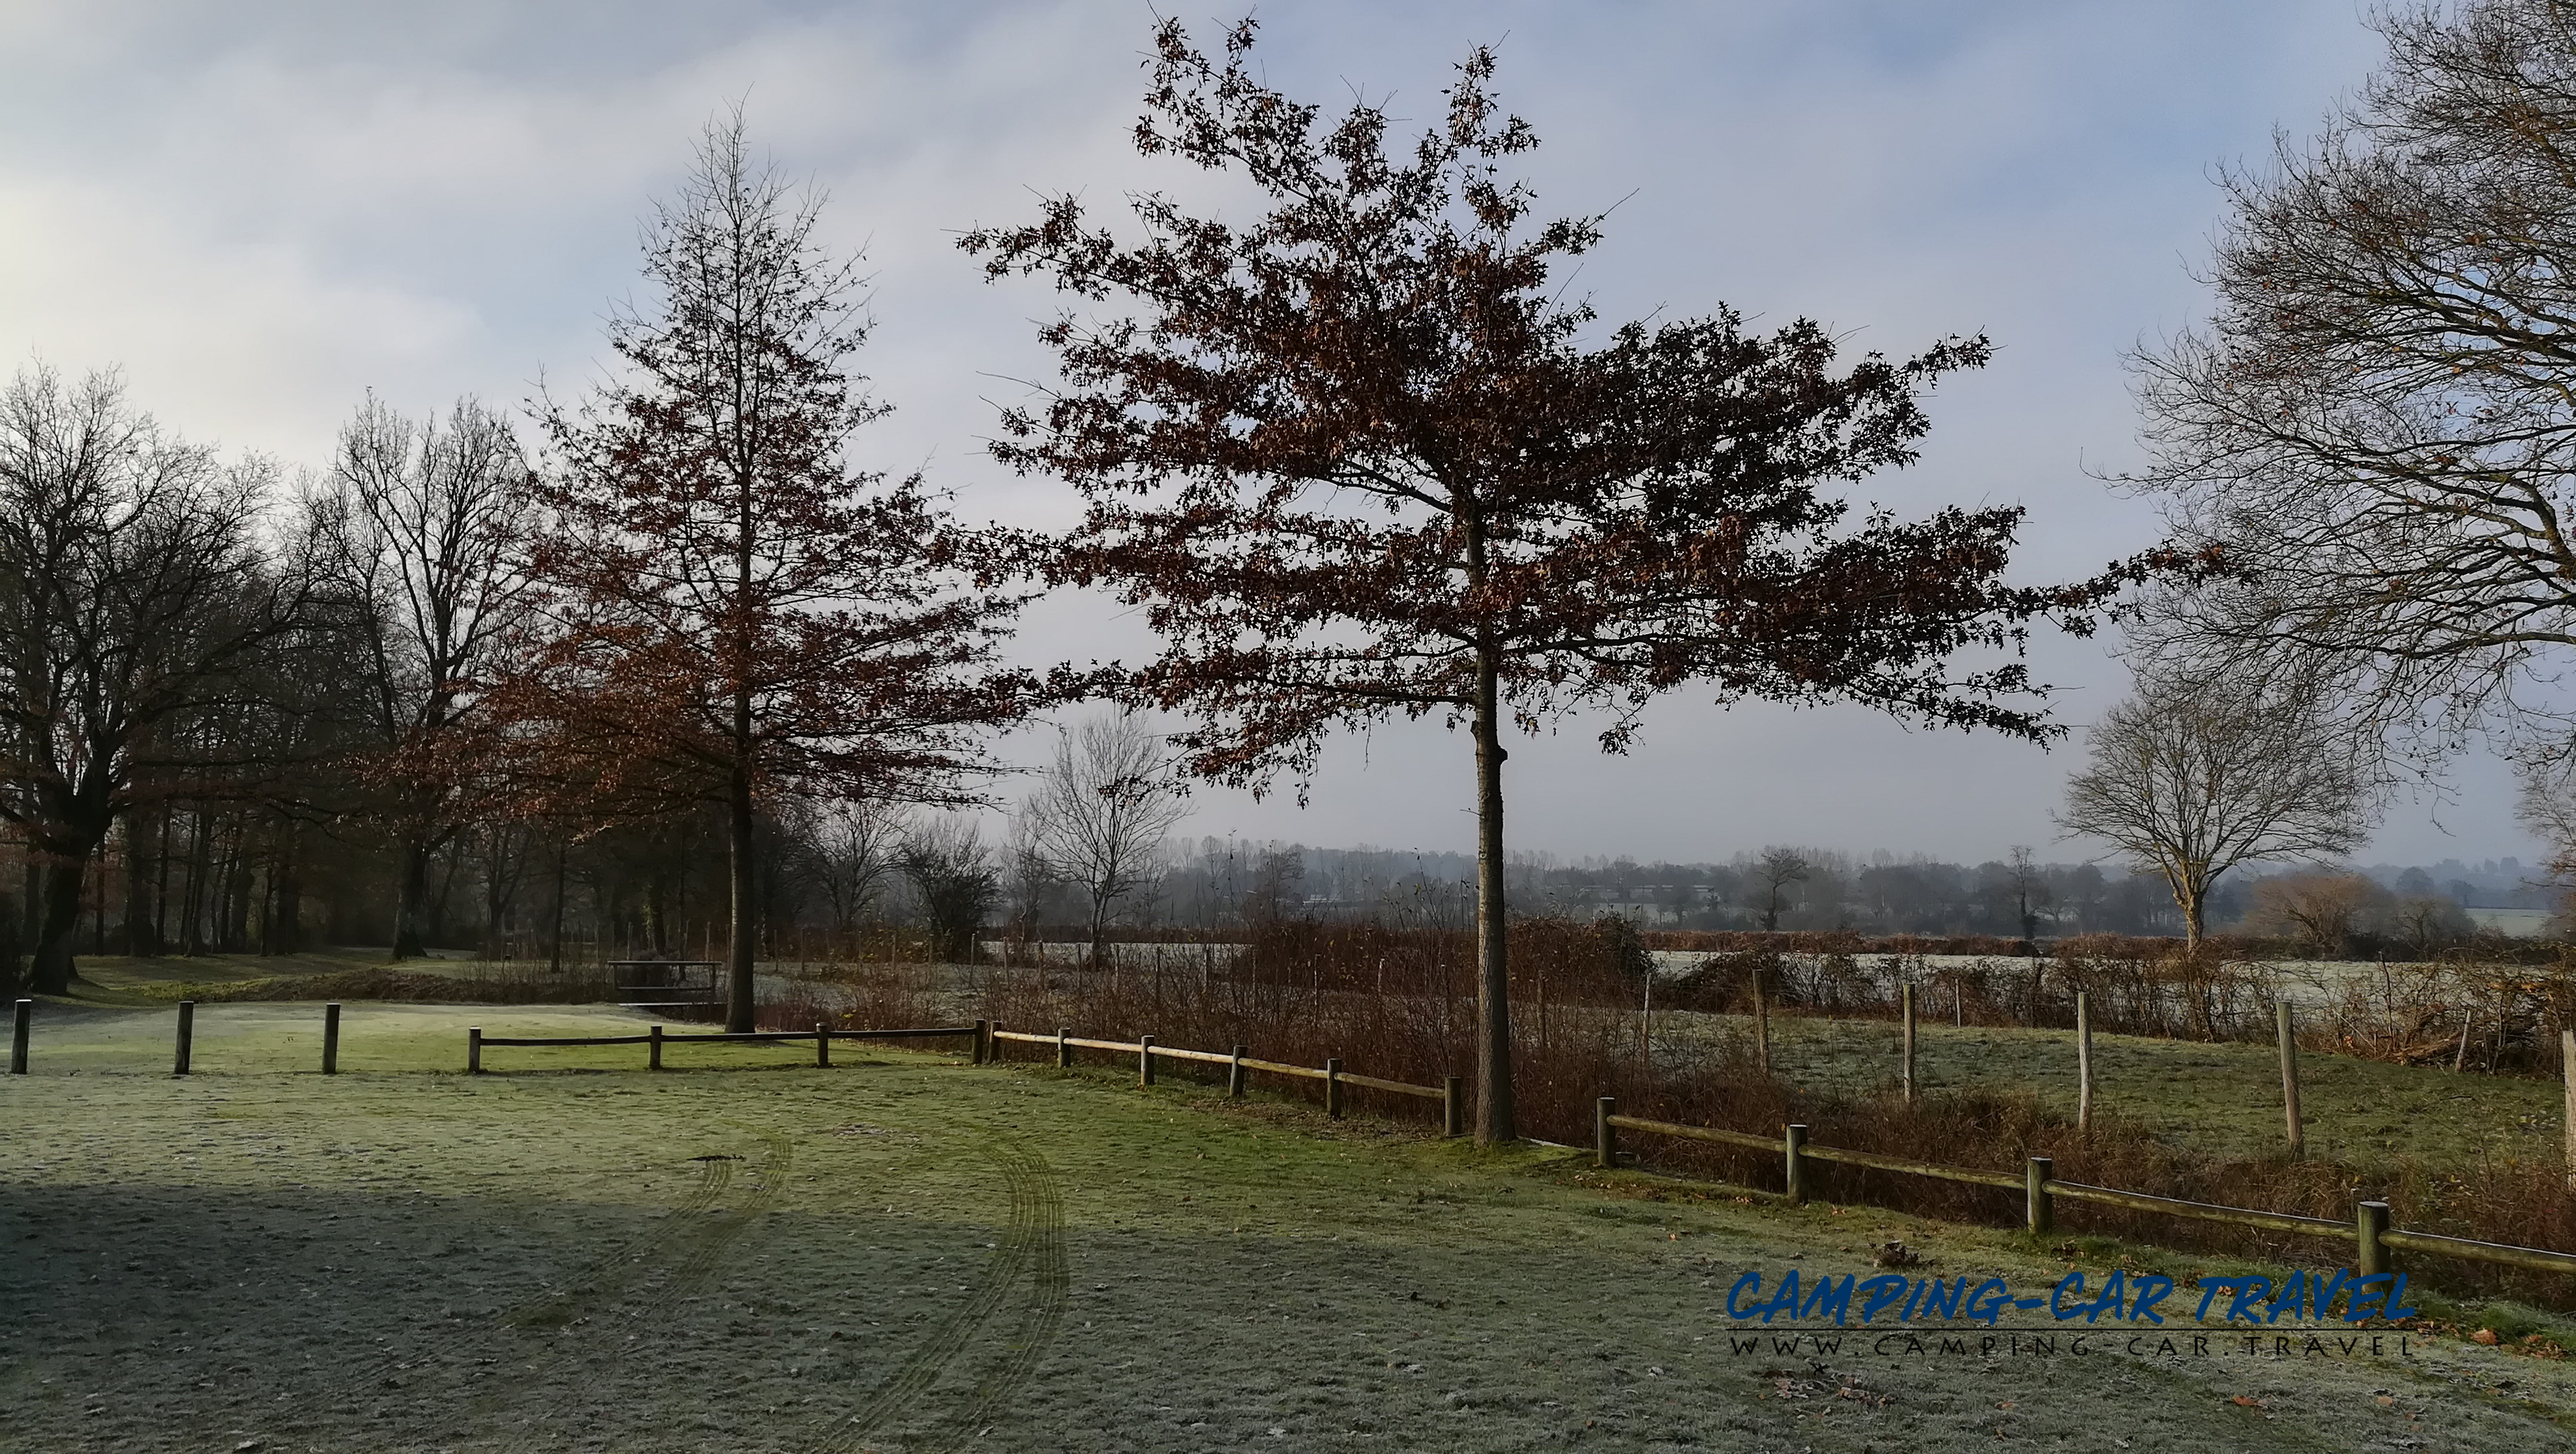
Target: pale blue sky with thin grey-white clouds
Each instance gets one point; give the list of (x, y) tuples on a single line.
[(261, 212)]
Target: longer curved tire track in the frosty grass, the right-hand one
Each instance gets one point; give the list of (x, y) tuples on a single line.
[(1034, 1242)]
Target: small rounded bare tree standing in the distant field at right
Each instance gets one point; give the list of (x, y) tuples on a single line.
[(2196, 778)]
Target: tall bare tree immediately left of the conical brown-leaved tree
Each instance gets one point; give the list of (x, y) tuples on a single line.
[(429, 526)]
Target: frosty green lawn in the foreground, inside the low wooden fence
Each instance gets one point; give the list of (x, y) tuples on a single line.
[(916, 1255)]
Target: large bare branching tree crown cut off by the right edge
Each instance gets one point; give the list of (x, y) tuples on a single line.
[(2374, 428)]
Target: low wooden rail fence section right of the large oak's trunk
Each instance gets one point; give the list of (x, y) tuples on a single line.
[(2039, 1185)]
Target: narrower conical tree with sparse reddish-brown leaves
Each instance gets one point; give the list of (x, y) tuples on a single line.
[(733, 611)]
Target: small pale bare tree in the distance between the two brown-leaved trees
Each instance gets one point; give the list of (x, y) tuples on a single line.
[(1104, 809)]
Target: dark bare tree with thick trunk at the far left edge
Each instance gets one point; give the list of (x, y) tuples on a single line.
[(133, 596)]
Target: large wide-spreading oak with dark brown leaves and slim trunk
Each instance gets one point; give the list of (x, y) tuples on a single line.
[(1359, 459)]
